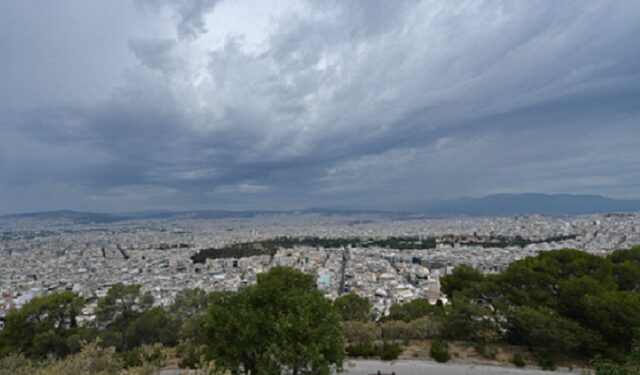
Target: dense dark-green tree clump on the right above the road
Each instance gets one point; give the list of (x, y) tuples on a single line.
[(558, 303)]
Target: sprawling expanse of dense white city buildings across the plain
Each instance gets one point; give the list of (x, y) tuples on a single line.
[(38, 257)]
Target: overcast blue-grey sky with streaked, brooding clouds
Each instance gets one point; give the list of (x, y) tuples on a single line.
[(258, 104)]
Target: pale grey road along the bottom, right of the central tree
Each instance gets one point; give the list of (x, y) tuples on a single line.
[(414, 367)]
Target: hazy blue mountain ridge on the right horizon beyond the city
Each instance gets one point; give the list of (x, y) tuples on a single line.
[(518, 204)]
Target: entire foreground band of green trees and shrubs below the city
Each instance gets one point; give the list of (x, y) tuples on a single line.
[(559, 305)]
